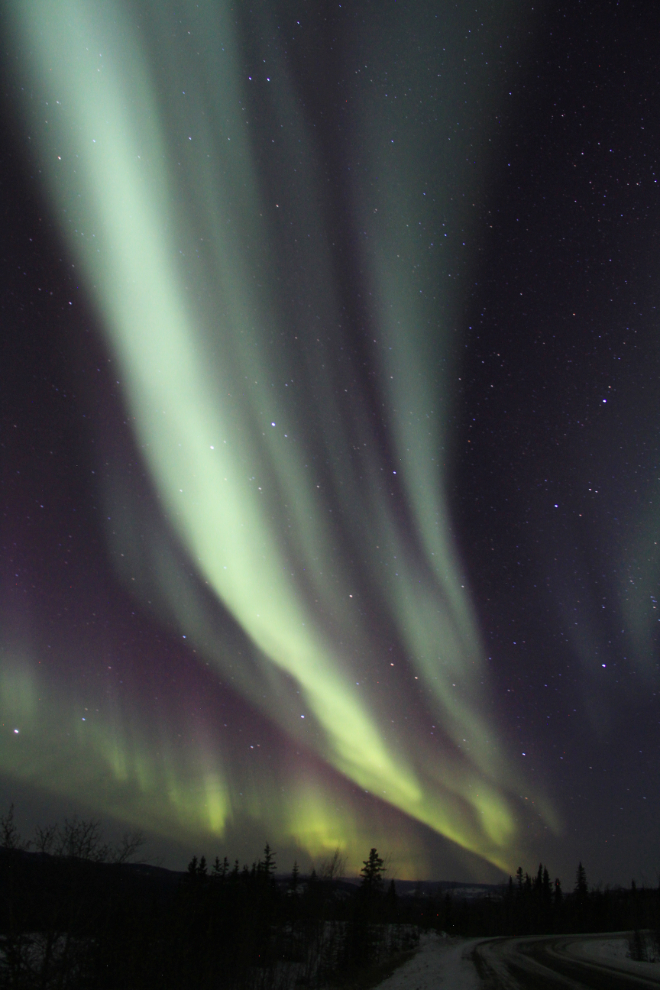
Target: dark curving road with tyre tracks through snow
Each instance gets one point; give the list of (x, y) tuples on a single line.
[(562, 962)]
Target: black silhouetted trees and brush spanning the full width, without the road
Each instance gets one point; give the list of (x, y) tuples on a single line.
[(75, 913)]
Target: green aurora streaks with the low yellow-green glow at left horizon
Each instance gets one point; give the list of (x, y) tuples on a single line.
[(209, 257)]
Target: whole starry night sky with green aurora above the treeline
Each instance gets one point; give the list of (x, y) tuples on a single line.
[(330, 450)]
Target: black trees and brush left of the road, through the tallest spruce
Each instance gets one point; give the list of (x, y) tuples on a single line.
[(76, 914)]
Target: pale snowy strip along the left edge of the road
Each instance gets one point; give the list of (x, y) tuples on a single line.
[(440, 964)]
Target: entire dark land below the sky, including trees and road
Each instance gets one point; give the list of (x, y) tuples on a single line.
[(70, 922)]
